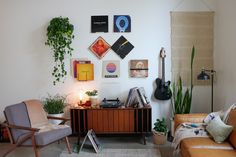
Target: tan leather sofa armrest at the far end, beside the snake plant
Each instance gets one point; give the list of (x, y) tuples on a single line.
[(192, 118)]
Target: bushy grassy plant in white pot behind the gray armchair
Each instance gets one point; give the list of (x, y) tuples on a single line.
[(54, 106)]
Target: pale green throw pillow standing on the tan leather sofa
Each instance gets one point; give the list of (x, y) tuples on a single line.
[(218, 129)]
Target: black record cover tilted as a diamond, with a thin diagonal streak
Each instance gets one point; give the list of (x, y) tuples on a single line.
[(122, 47)]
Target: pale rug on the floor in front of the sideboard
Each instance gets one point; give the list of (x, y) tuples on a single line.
[(108, 152)]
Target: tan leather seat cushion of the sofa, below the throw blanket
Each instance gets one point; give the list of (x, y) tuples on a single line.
[(202, 143)]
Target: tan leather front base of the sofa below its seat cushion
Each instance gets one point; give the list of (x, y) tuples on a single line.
[(193, 152)]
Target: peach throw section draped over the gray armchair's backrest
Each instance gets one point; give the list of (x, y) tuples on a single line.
[(36, 113)]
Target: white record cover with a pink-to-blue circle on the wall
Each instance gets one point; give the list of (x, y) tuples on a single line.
[(111, 69)]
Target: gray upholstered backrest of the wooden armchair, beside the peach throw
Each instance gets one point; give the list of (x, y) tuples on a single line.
[(17, 115)]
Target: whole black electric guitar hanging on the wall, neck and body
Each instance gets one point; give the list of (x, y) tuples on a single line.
[(162, 91)]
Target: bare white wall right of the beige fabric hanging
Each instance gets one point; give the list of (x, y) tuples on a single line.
[(225, 55)]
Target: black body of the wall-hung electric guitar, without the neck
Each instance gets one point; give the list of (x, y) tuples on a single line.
[(162, 91)]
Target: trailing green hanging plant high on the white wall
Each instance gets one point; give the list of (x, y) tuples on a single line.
[(60, 35)]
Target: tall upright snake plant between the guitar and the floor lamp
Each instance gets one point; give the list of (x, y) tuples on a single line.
[(182, 100)]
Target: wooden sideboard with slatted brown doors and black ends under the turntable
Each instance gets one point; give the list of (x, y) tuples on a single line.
[(111, 121)]
